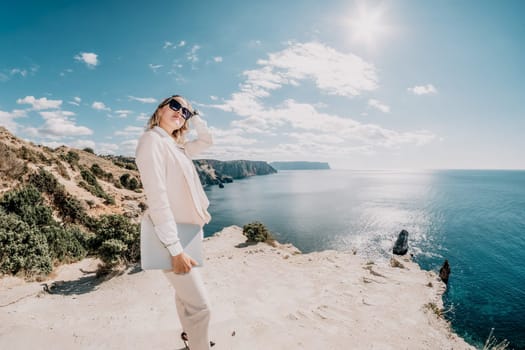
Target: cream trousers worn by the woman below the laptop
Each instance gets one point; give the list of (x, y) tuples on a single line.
[(193, 306)]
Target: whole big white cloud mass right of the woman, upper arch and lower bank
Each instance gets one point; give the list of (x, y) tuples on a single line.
[(304, 129)]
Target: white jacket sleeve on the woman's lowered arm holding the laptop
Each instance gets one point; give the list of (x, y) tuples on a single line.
[(150, 159)]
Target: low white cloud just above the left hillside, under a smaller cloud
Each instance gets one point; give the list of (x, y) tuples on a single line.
[(60, 124)]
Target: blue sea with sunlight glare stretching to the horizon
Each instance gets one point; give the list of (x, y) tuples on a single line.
[(473, 218)]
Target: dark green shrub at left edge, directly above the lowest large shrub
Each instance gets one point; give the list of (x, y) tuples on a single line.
[(27, 203)]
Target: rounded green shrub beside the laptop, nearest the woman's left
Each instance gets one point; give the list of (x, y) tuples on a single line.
[(116, 239)]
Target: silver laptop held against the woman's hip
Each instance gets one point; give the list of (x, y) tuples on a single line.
[(153, 254)]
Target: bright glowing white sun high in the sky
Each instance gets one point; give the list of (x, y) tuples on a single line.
[(367, 24)]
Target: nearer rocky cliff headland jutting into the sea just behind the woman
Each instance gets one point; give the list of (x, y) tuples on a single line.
[(216, 172)]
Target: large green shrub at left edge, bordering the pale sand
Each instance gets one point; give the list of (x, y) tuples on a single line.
[(24, 248)]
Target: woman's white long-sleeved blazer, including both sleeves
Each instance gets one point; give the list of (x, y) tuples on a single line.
[(171, 183)]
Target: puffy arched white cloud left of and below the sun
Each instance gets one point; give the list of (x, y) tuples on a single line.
[(333, 72)]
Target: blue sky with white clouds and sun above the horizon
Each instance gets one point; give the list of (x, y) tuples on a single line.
[(359, 84)]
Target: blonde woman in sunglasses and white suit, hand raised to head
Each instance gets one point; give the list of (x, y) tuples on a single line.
[(174, 194)]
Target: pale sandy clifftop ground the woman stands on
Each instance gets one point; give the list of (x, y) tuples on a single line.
[(262, 298)]
